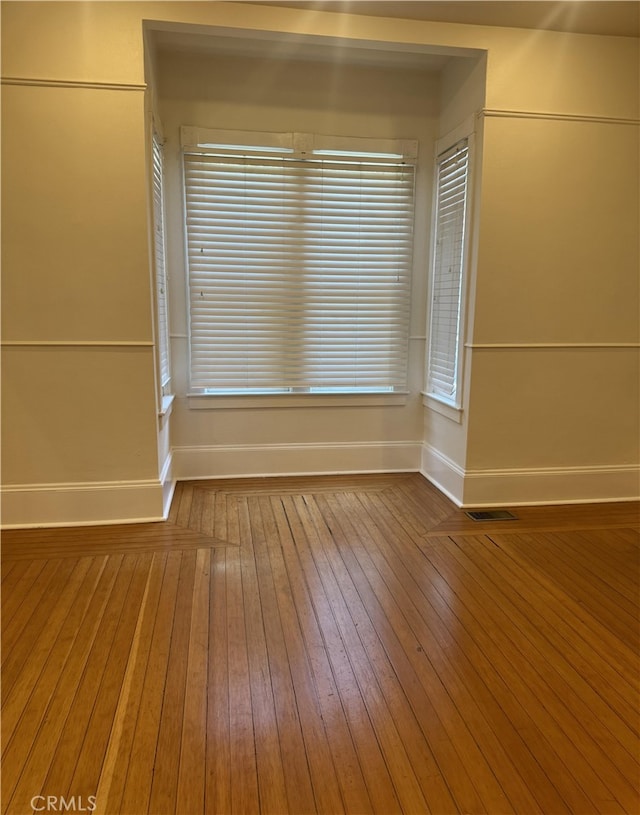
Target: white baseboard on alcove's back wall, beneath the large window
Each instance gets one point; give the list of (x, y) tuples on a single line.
[(221, 461)]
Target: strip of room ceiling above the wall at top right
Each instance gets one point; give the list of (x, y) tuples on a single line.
[(609, 17)]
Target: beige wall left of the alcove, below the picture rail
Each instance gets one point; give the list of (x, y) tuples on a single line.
[(78, 377)]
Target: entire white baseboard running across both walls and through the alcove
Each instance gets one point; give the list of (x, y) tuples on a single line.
[(114, 502)]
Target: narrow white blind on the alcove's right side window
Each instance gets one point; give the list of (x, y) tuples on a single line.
[(447, 271)]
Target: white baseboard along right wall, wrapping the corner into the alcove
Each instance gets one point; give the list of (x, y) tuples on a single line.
[(533, 487)]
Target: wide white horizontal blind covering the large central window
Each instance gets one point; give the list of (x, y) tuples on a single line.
[(299, 273)]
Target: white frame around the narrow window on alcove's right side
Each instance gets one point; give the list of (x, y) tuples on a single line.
[(450, 405)]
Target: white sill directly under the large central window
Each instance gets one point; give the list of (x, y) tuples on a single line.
[(211, 401)]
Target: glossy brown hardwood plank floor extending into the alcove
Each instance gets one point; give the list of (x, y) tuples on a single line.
[(349, 644)]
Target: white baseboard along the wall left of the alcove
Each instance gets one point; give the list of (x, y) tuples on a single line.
[(83, 504)]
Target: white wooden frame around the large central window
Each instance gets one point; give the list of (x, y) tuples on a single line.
[(298, 146)]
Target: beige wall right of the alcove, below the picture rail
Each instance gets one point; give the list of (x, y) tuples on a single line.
[(554, 378)]
